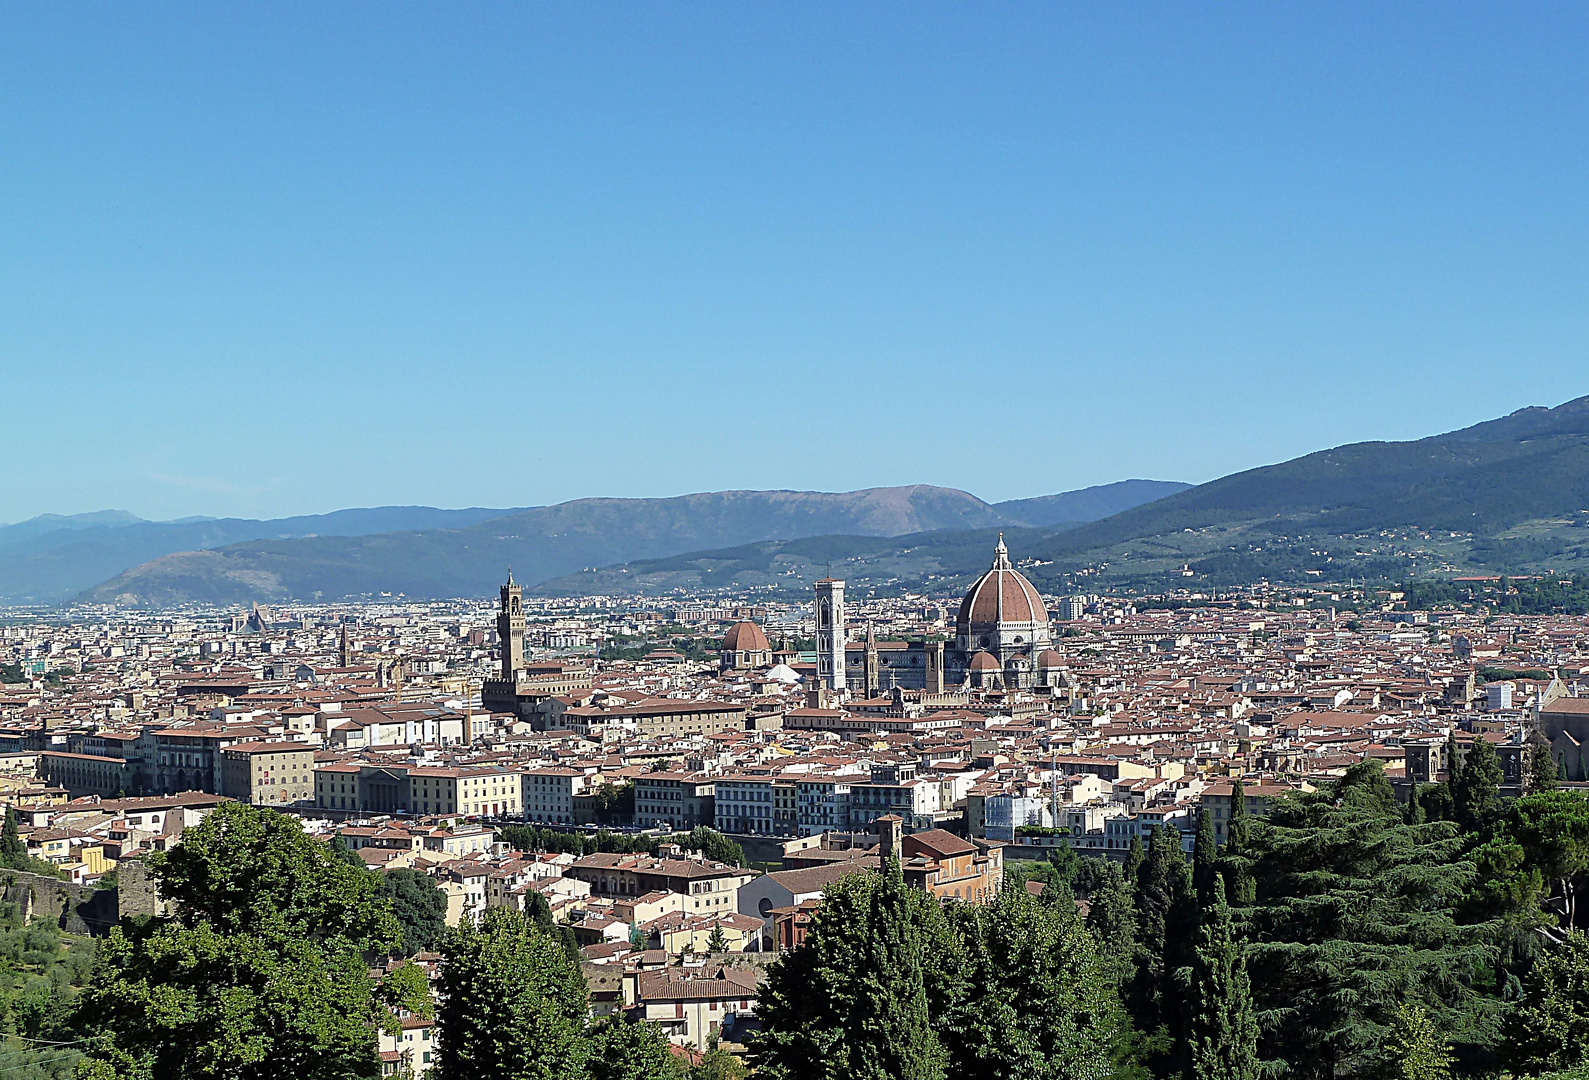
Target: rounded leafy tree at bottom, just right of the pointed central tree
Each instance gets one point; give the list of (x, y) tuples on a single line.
[(1035, 1001)]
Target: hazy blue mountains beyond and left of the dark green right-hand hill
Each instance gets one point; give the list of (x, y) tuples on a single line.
[(425, 552)]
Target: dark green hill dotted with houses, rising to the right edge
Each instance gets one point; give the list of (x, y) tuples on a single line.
[(1502, 496)]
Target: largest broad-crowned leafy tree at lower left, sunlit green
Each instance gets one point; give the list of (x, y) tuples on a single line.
[(260, 971)]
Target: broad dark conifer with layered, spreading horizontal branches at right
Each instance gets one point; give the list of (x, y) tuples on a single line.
[(1355, 916)]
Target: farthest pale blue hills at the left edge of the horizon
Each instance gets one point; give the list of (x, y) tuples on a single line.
[(53, 558)]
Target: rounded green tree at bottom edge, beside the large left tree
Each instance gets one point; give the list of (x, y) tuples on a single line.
[(512, 1003)]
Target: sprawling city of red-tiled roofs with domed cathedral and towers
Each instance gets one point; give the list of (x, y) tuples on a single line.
[(679, 784)]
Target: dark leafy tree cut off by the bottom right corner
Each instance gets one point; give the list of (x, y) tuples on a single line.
[(1552, 1025)]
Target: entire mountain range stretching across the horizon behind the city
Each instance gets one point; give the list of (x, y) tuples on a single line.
[(1509, 495)]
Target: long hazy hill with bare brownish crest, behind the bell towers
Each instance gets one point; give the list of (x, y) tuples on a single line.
[(549, 542)]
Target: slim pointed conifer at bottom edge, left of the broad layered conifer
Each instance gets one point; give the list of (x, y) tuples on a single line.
[(1224, 1036)]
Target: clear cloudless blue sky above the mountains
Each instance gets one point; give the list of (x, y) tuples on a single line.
[(268, 260)]
